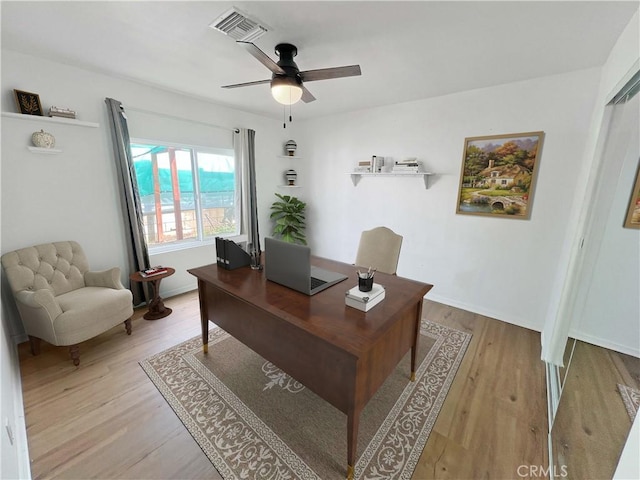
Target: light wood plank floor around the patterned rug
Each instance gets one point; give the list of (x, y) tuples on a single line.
[(106, 420)]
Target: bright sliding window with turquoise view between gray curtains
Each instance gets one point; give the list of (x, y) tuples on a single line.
[(187, 193)]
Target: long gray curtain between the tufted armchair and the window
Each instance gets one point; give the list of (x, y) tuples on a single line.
[(137, 253)]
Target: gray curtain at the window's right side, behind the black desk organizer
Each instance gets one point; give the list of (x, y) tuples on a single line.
[(245, 152)]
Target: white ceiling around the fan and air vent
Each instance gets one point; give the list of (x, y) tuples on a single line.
[(407, 50)]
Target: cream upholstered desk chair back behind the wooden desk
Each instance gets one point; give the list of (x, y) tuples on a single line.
[(379, 248)]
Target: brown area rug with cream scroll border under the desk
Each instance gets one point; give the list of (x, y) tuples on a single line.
[(253, 421)]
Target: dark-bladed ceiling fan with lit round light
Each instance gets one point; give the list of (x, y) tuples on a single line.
[(287, 81)]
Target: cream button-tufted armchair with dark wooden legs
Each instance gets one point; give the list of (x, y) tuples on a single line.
[(60, 301)]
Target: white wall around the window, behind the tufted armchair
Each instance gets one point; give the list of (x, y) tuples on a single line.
[(73, 195)]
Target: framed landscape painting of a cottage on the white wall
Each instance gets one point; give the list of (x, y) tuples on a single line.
[(498, 175)]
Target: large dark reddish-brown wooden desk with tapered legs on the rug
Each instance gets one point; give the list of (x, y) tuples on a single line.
[(340, 353)]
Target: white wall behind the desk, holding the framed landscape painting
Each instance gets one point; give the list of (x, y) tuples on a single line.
[(499, 267)]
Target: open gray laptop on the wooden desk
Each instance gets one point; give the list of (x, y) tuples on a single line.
[(290, 265)]
